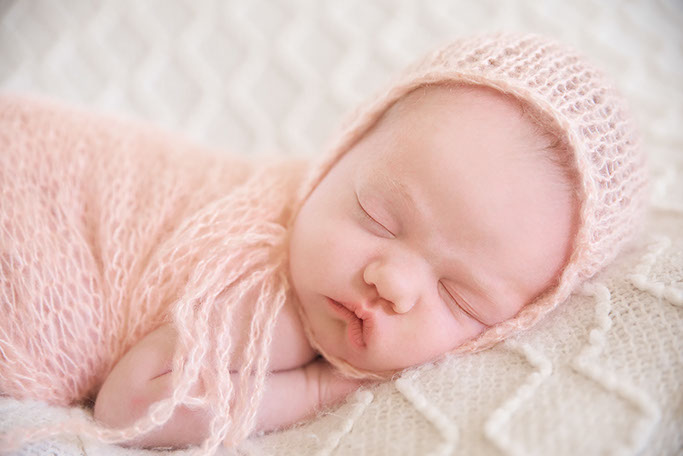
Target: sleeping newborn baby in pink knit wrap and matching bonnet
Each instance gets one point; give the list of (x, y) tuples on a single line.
[(458, 207)]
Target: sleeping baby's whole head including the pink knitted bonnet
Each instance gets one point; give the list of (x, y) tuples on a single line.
[(460, 207)]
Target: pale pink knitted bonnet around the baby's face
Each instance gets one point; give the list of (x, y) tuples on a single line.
[(577, 105)]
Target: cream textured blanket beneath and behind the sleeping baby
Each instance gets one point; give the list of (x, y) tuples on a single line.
[(600, 376)]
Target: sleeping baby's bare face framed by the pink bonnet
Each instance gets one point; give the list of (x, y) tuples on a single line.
[(441, 221)]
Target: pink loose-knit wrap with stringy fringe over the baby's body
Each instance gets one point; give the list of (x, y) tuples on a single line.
[(107, 230)]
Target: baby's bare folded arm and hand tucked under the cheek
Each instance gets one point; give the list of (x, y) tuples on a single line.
[(143, 377)]
